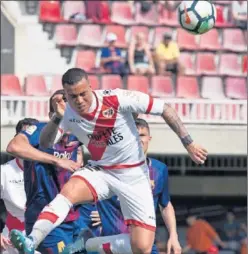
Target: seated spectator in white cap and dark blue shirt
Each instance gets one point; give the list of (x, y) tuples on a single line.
[(111, 58)]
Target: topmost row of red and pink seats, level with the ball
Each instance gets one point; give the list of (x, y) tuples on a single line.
[(122, 13)]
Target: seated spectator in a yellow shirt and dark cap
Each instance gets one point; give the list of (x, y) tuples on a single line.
[(167, 56)]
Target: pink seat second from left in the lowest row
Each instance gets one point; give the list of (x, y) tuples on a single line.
[(35, 86)]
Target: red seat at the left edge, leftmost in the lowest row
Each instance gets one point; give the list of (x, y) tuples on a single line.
[(10, 85)]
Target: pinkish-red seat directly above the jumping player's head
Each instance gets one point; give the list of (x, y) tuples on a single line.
[(86, 59)]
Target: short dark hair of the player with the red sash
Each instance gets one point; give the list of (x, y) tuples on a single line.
[(73, 76)]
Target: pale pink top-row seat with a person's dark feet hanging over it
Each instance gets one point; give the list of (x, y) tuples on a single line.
[(149, 18)]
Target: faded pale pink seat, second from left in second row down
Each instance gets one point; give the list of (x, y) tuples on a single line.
[(90, 35)]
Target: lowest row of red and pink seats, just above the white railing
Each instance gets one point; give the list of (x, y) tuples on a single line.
[(158, 86)]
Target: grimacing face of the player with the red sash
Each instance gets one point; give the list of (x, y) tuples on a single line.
[(79, 96)]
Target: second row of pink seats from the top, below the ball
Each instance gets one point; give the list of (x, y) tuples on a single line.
[(94, 36)]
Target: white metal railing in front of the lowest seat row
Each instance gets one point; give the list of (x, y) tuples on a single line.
[(195, 111)]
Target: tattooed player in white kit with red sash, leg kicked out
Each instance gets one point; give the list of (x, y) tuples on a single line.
[(103, 121)]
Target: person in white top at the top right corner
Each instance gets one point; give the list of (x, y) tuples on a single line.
[(239, 14)]
